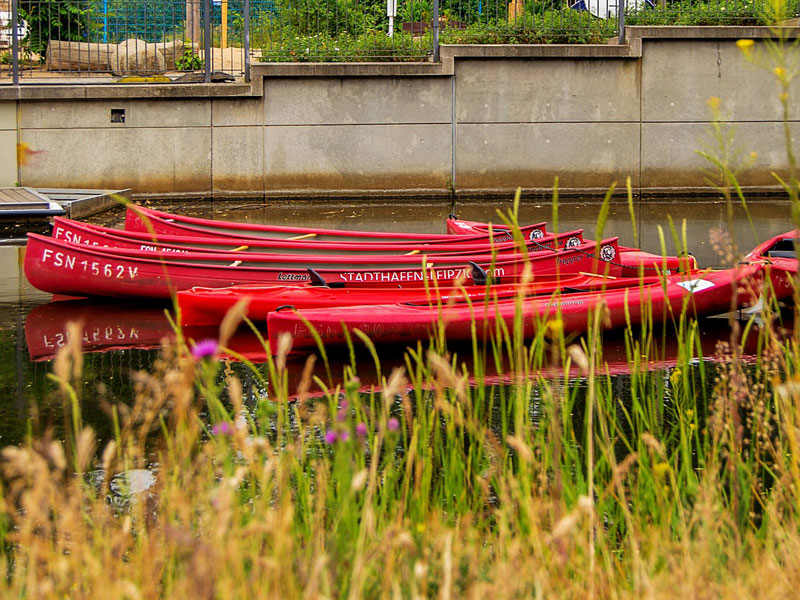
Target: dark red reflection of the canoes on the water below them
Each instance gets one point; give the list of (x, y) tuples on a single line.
[(112, 327)]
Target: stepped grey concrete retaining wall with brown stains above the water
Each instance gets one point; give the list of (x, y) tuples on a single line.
[(485, 120)]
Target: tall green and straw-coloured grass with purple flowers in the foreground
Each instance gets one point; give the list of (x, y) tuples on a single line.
[(512, 468)]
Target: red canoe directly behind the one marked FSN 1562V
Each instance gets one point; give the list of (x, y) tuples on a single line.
[(76, 232)]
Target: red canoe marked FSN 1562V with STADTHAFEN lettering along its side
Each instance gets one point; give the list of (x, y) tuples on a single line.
[(79, 270)]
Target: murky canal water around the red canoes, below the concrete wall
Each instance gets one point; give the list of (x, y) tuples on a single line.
[(122, 338)]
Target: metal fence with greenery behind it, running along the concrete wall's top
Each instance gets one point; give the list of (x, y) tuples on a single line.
[(191, 39)]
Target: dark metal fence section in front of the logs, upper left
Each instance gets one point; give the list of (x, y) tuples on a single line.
[(178, 40)]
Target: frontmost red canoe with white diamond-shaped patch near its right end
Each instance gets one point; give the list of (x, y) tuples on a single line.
[(704, 292)]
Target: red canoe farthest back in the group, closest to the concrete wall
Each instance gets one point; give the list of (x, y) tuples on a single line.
[(139, 218)]
